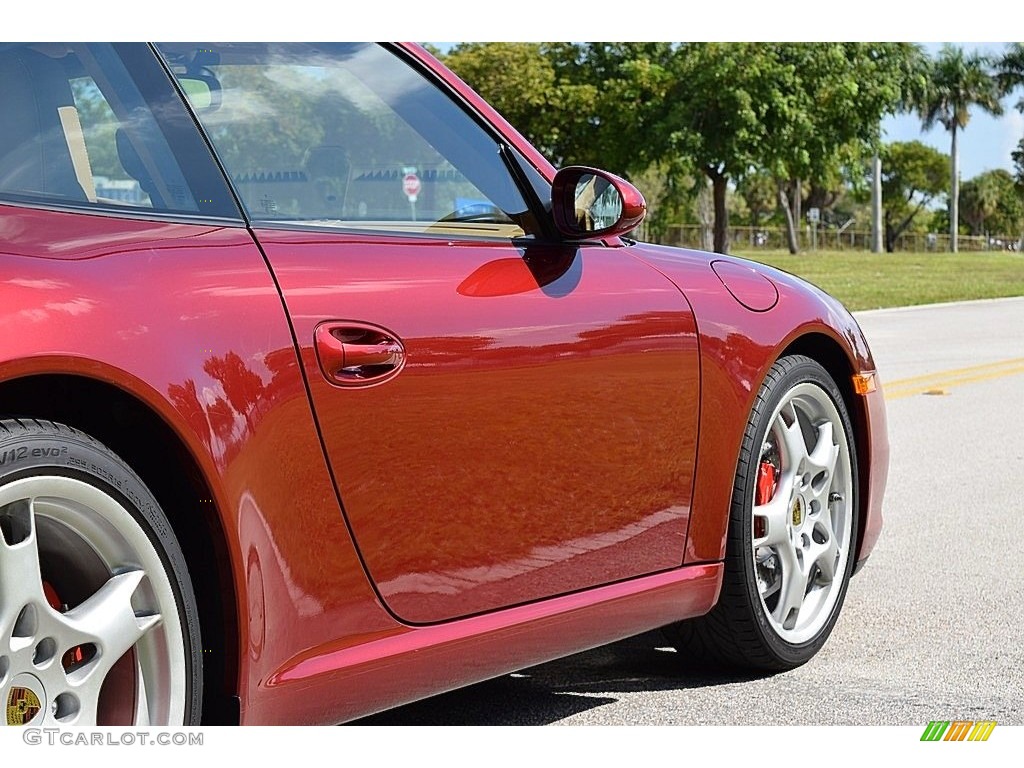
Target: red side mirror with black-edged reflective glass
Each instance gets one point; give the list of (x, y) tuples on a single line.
[(589, 203)]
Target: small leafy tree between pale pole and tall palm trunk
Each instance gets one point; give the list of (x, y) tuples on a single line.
[(913, 176)]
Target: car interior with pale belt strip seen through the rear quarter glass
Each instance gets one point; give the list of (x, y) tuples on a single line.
[(69, 106)]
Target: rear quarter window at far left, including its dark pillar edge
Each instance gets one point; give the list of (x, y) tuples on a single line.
[(78, 130)]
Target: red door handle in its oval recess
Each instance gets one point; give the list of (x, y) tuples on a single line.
[(357, 355)]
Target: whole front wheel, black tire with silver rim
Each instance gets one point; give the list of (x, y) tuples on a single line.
[(749, 628)]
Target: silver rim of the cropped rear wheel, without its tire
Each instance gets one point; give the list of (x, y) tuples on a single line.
[(122, 627)]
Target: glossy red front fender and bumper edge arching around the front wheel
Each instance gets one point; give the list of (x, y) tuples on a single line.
[(738, 348)]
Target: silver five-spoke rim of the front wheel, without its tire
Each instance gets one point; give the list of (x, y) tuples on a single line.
[(802, 535)]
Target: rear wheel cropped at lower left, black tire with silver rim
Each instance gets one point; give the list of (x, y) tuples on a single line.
[(89, 541)]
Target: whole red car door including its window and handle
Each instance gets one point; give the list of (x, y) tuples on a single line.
[(506, 417)]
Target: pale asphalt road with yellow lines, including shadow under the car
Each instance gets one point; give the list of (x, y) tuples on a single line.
[(933, 627)]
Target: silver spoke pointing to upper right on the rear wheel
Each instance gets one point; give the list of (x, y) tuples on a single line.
[(109, 621)]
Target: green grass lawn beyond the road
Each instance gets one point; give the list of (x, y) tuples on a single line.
[(870, 281)]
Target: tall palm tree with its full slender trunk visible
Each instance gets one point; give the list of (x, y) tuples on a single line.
[(959, 81)]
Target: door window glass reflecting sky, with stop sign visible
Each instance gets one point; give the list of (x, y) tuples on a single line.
[(348, 136)]
